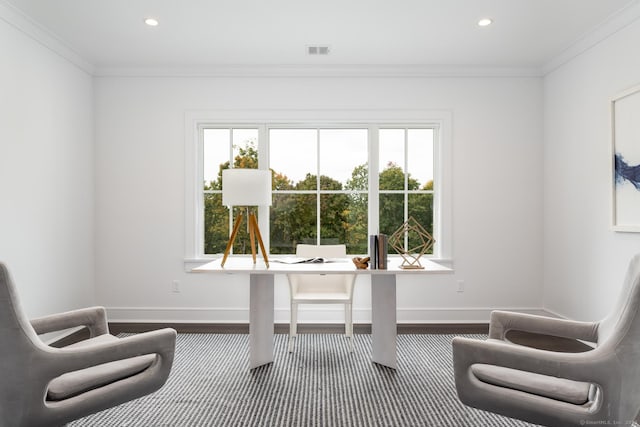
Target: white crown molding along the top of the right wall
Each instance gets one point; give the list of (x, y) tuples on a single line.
[(615, 23)]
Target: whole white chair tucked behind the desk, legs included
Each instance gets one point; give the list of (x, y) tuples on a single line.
[(321, 288)]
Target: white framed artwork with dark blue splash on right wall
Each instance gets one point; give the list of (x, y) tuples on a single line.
[(625, 123)]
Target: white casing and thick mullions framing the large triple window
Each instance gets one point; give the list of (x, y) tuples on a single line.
[(439, 120)]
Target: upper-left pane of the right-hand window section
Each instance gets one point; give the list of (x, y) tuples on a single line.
[(391, 155)]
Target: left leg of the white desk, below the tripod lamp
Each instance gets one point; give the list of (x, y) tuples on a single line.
[(260, 319)]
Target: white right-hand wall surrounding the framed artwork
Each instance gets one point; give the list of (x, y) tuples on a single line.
[(584, 260)]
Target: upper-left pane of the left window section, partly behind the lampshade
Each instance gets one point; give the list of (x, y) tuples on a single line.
[(216, 144)]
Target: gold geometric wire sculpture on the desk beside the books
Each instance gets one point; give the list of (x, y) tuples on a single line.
[(415, 234)]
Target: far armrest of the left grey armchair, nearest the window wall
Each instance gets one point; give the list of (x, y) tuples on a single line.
[(94, 318)]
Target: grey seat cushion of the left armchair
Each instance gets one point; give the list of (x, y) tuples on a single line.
[(77, 382)]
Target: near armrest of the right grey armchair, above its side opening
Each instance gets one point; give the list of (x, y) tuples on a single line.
[(590, 366)]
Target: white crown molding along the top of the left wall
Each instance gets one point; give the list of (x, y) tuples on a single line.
[(23, 23)]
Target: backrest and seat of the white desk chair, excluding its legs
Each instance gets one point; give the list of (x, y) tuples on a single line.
[(316, 283)]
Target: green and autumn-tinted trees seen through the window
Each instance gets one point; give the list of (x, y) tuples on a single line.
[(293, 217)]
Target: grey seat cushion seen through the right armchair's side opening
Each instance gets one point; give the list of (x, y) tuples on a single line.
[(561, 389)]
